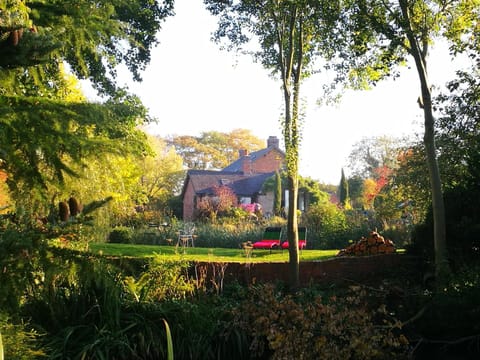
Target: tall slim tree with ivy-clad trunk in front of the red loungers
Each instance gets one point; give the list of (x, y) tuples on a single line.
[(291, 35)]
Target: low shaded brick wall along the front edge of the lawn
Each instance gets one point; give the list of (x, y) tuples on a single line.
[(336, 270)]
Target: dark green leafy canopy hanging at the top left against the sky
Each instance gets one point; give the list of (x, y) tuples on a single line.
[(96, 37)]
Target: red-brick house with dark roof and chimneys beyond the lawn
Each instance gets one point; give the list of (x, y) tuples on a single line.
[(245, 176)]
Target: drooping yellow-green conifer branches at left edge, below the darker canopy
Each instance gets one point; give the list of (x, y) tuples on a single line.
[(42, 138)]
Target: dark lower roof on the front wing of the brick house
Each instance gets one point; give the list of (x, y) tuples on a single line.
[(204, 181)]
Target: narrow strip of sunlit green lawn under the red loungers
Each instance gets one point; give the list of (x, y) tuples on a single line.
[(205, 254)]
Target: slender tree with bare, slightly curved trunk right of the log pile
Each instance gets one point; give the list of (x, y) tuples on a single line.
[(389, 31)]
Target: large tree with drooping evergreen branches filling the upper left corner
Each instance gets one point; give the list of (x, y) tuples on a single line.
[(44, 128)]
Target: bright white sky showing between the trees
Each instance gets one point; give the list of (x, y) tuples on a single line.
[(191, 86)]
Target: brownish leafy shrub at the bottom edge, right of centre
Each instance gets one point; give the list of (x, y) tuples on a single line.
[(299, 327)]
